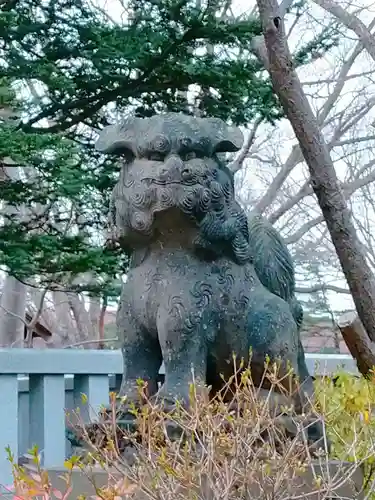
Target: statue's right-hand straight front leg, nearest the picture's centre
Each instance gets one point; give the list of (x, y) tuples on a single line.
[(183, 338)]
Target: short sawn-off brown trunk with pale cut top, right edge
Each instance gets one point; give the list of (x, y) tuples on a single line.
[(359, 345)]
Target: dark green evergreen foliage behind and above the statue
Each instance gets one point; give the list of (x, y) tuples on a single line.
[(87, 67)]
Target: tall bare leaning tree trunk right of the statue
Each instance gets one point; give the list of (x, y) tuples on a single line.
[(322, 172)]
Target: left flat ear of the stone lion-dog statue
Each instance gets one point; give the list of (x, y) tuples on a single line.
[(119, 139)]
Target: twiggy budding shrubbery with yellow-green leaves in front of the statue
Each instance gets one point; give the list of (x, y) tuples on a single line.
[(238, 450)]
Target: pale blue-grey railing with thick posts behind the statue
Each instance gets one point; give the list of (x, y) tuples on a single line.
[(37, 387)]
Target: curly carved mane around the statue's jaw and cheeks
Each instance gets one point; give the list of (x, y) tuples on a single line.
[(208, 202)]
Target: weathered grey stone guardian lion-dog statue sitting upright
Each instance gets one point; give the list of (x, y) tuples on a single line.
[(204, 282)]
